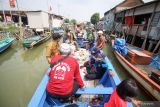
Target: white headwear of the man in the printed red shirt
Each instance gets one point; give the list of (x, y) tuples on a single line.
[(65, 48)]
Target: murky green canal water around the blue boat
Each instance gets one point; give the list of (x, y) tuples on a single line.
[(21, 71)]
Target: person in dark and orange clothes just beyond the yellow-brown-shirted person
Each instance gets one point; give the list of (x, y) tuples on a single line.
[(69, 38)]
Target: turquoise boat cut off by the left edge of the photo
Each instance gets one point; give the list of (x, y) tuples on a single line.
[(4, 44)]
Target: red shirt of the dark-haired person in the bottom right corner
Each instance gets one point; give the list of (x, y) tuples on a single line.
[(115, 101)]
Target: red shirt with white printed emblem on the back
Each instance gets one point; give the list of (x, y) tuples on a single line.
[(62, 76)]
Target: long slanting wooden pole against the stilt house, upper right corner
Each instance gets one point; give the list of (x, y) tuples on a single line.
[(149, 26)]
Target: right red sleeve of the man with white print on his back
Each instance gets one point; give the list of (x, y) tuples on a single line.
[(78, 76)]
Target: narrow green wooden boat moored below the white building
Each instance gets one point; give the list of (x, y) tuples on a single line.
[(35, 40)]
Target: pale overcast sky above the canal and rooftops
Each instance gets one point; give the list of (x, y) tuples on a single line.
[(78, 9)]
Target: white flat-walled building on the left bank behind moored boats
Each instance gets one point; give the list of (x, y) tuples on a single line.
[(43, 20)]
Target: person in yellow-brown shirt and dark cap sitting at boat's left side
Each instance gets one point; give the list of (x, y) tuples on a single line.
[(52, 49)]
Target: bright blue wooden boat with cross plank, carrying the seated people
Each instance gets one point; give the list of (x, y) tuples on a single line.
[(109, 84)]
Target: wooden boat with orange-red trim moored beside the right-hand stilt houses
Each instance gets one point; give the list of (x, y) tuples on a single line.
[(136, 62)]
